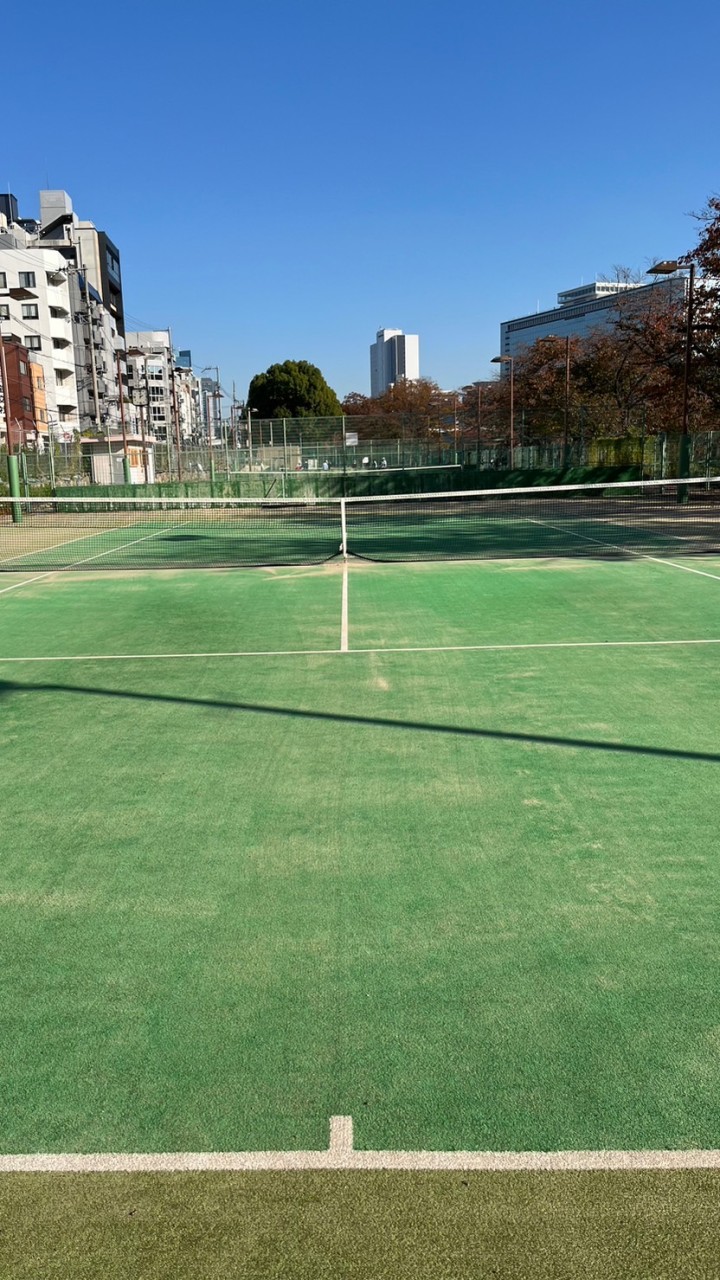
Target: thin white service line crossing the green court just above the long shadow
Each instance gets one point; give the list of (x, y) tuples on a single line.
[(332, 653)]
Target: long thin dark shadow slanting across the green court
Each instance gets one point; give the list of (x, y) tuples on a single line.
[(10, 688)]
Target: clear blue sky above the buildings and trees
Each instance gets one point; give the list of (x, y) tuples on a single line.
[(285, 179)]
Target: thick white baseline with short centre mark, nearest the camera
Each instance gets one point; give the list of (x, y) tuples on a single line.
[(341, 1155)]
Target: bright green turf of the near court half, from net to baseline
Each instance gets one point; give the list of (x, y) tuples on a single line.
[(430, 845)]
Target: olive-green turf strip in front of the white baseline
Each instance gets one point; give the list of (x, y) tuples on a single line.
[(363, 1227)]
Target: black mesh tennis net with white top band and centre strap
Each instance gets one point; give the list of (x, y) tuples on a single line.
[(616, 520)]
